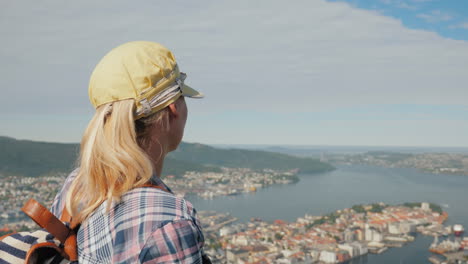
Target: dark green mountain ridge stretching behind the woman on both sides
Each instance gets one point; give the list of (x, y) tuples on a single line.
[(32, 158)]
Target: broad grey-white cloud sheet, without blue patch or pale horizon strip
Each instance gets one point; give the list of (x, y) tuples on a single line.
[(271, 56)]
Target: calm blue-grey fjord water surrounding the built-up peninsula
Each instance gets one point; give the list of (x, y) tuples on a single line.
[(349, 185)]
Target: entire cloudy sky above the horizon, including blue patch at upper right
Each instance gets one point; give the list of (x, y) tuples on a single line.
[(305, 72)]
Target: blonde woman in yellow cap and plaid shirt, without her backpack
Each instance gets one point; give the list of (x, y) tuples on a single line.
[(138, 93)]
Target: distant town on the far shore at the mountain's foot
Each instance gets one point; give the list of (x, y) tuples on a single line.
[(16, 190)]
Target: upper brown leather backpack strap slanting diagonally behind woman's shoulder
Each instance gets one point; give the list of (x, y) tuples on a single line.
[(45, 219)]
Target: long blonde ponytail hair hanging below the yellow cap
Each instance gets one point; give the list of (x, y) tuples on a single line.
[(112, 157)]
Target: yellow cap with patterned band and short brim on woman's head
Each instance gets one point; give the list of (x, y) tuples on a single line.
[(142, 70)]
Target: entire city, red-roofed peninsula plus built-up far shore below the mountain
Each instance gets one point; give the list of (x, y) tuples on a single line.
[(332, 238)]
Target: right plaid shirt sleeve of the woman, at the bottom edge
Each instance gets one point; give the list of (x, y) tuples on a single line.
[(178, 241)]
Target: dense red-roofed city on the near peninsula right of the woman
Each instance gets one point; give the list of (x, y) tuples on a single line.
[(334, 238)]
